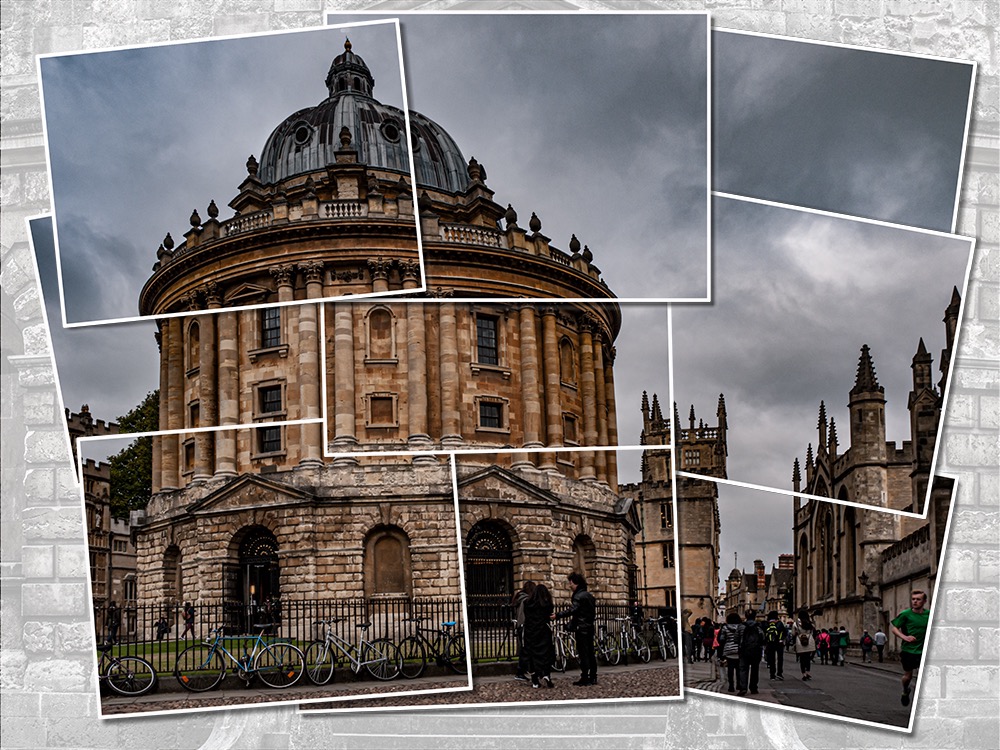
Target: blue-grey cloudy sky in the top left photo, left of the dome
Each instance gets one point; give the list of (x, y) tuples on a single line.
[(138, 138)]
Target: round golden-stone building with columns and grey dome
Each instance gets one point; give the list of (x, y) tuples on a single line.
[(255, 512)]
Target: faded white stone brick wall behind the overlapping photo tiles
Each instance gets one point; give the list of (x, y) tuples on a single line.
[(45, 662)]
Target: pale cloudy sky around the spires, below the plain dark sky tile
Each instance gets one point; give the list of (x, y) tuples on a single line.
[(796, 296)]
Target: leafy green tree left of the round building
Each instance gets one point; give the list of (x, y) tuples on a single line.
[(132, 467)]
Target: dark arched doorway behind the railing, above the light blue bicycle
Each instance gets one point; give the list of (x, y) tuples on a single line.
[(252, 583)]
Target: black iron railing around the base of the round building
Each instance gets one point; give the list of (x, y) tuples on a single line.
[(158, 632)]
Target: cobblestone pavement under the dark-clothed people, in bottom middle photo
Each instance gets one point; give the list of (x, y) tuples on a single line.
[(655, 679)]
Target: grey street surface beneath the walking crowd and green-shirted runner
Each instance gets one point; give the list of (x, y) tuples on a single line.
[(860, 691)]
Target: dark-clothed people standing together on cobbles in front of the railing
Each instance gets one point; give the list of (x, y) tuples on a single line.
[(534, 612)]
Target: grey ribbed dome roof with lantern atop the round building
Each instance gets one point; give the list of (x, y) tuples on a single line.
[(307, 140)]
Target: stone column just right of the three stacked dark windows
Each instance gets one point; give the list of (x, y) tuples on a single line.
[(311, 435)]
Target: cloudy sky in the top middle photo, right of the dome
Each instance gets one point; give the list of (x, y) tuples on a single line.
[(597, 123)]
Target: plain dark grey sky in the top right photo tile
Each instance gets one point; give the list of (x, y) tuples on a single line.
[(866, 133)]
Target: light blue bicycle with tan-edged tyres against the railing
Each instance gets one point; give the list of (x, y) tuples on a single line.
[(203, 666)]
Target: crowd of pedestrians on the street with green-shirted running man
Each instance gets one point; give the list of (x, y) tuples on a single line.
[(741, 644)]
